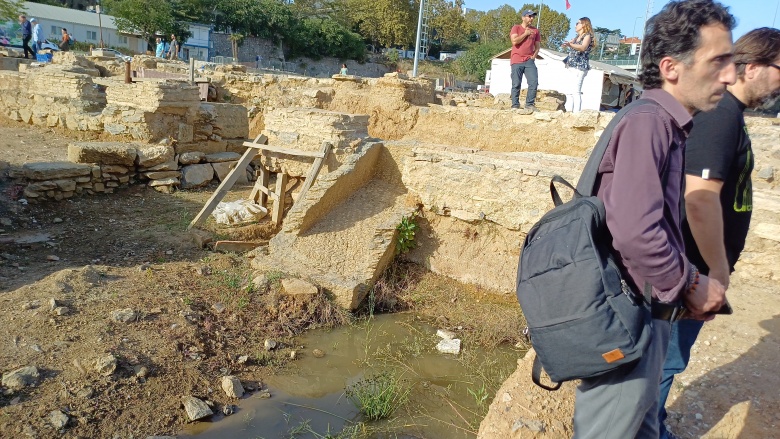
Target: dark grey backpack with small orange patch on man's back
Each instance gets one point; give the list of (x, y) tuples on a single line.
[(583, 319)]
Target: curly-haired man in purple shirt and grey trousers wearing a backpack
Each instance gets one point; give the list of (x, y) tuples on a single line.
[(686, 66)]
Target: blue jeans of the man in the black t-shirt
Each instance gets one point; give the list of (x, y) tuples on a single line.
[(684, 333)]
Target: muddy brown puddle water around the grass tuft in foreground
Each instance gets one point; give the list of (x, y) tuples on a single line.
[(448, 395)]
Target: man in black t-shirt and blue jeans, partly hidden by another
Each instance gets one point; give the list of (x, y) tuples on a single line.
[(718, 191)]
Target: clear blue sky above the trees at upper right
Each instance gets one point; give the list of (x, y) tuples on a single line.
[(622, 14)]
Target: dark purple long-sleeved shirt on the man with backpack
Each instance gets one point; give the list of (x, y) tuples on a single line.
[(642, 215)]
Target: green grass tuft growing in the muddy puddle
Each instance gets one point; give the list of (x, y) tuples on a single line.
[(378, 396)]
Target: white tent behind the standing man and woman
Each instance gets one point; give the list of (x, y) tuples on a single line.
[(601, 83)]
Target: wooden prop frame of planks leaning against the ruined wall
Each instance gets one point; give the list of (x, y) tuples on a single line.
[(260, 191)]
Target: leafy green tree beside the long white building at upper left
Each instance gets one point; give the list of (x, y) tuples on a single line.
[(146, 19)]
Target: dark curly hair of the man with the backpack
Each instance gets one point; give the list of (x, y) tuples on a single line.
[(675, 32)]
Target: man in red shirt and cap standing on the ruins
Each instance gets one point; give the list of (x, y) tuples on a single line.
[(526, 41)]
